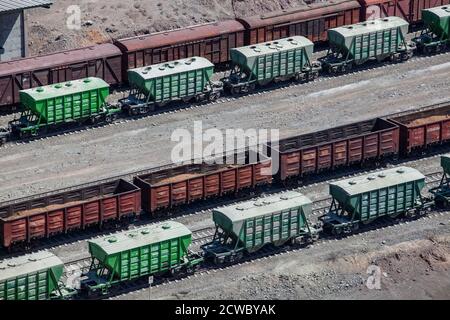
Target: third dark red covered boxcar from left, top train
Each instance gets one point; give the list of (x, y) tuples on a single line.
[(311, 21)]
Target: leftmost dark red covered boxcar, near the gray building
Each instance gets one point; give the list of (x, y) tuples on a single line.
[(103, 61)]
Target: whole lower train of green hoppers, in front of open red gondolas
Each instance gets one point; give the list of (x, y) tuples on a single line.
[(240, 231)]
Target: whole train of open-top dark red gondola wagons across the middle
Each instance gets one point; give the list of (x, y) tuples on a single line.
[(163, 190)]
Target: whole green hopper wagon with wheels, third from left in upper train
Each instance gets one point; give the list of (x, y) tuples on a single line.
[(278, 60)]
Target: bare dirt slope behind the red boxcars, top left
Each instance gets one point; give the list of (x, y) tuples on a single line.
[(103, 20)]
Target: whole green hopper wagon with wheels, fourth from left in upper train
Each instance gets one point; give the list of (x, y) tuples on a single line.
[(355, 44)]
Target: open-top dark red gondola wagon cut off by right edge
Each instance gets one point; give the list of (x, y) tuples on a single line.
[(423, 128)]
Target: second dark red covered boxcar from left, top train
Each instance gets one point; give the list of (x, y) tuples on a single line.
[(212, 41)]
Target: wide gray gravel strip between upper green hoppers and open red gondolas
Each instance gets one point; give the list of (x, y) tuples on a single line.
[(62, 161)]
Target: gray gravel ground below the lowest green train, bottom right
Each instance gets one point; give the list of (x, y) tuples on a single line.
[(413, 262)]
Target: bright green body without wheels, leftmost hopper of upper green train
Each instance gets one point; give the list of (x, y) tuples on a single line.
[(67, 101)]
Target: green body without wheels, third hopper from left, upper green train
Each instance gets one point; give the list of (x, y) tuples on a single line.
[(268, 60)]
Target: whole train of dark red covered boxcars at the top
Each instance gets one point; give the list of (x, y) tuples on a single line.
[(213, 41)]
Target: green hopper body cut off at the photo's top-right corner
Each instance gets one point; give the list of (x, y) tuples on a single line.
[(438, 21)]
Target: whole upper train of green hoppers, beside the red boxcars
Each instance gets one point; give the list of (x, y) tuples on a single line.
[(191, 80)]
